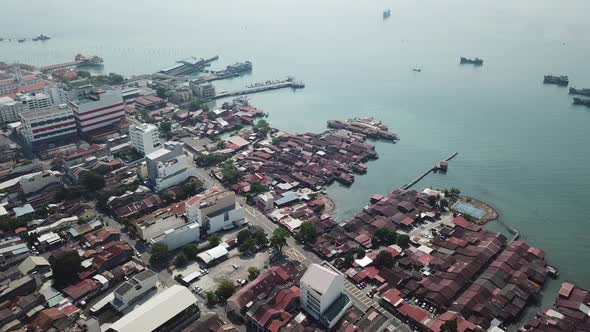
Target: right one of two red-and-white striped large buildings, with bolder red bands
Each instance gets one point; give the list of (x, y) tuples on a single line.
[(96, 111)]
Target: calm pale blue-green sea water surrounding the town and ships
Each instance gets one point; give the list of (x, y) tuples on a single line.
[(522, 145)]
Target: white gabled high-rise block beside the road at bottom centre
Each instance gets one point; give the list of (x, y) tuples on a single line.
[(322, 294)]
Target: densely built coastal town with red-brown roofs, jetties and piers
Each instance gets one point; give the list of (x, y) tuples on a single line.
[(143, 204)]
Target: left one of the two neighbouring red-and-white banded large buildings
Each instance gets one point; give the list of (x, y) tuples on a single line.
[(48, 125)]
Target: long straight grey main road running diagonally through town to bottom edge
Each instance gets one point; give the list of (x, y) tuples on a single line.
[(296, 252)]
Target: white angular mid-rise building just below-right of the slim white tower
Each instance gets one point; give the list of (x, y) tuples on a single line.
[(167, 168)]
